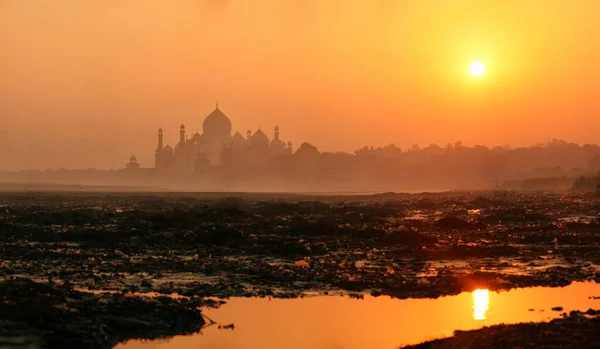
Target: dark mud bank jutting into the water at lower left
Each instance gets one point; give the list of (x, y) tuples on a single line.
[(59, 317)]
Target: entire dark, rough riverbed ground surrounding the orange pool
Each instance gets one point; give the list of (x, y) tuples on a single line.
[(200, 246)]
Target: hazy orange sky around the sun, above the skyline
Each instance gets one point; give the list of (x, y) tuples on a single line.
[(87, 83)]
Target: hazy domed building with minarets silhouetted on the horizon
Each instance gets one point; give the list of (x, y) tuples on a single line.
[(216, 140)]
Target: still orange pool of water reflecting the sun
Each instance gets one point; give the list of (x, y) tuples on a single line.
[(334, 322)]
